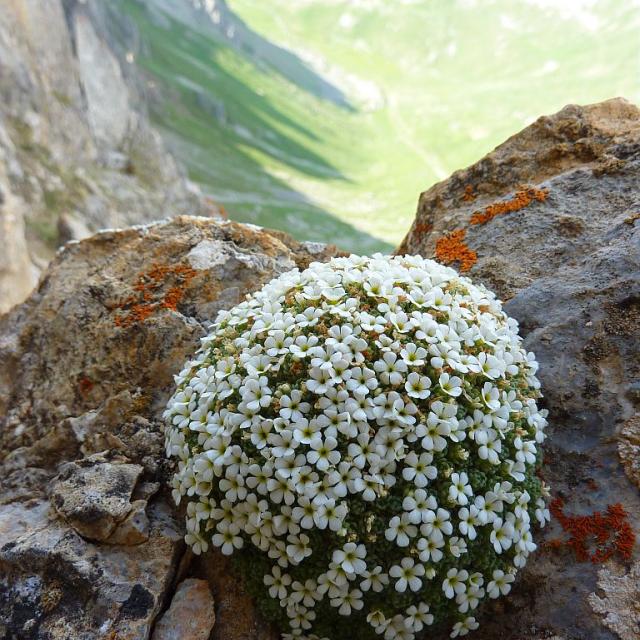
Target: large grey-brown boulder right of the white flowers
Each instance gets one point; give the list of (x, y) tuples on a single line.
[(549, 220)]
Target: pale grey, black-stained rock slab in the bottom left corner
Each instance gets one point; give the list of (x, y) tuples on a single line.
[(55, 584)]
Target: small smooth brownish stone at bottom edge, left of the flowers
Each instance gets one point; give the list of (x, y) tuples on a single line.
[(191, 615)]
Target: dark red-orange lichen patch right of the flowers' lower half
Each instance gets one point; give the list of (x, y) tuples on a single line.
[(607, 533)]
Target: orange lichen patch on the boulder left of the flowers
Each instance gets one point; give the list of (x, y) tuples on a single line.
[(151, 294)]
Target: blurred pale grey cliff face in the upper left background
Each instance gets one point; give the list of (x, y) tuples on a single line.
[(72, 160)]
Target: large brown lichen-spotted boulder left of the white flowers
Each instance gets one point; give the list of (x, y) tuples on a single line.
[(89, 544)]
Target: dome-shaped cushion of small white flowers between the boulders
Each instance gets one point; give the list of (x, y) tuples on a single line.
[(366, 433)]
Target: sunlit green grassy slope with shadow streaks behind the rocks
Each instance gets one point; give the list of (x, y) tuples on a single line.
[(431, 86)]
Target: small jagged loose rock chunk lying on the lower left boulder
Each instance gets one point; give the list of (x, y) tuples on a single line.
[(94, 496)]
